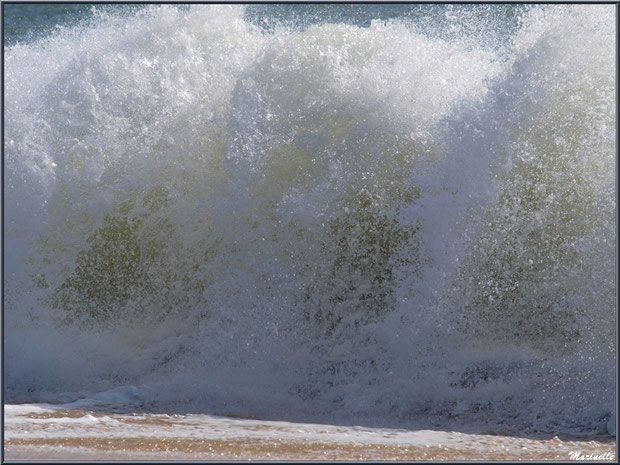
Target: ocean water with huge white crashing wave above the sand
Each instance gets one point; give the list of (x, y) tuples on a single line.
[(394, 216)]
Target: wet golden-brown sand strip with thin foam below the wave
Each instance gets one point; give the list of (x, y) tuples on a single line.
[(35, 433)]
